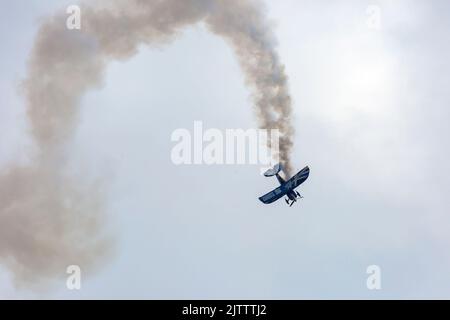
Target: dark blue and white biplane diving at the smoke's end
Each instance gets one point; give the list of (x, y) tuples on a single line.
[(286, 188)]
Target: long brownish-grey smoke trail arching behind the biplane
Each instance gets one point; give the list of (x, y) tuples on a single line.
[(48, 220)]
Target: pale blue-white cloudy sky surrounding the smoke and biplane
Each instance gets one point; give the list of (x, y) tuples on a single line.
[(371, 114)]
